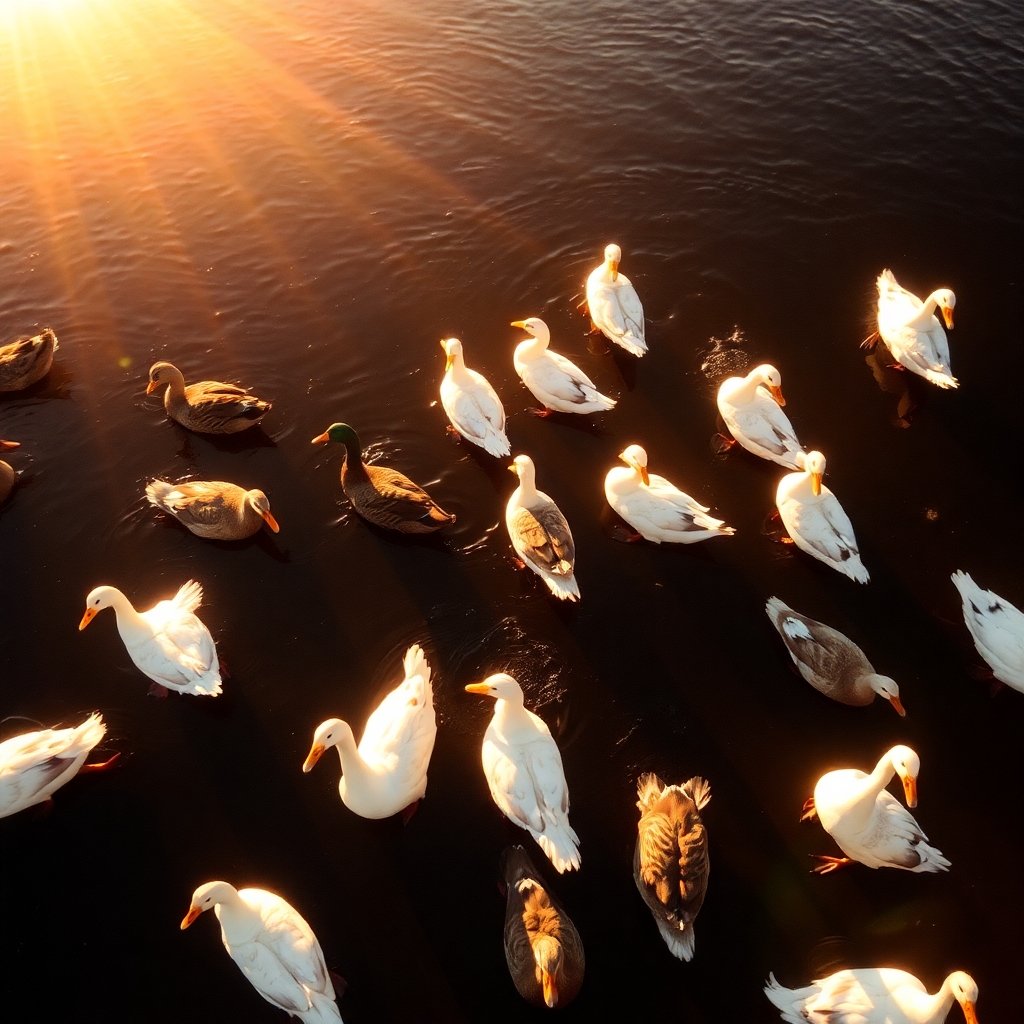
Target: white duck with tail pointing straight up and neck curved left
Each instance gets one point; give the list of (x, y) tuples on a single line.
[(388, 773)]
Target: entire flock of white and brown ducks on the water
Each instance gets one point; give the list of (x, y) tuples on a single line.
[(386, 774)]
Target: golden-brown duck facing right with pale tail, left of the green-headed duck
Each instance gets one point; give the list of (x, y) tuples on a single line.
[(214, 509)]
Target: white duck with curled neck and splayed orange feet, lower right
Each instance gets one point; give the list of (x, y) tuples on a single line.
[(868, 823)]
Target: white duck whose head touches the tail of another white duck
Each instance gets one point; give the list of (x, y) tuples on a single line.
[(817, 522)]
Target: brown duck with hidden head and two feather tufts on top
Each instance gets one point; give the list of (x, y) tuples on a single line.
[(670, 864)]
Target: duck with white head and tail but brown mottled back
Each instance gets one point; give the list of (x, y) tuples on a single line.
[(540, 534)]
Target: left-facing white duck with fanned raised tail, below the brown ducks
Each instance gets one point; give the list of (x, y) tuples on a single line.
[(168, 644)]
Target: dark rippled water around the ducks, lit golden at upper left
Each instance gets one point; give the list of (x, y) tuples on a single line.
[(307, 197)]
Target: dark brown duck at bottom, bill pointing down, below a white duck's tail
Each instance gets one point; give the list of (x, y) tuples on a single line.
[(542, 947)]
